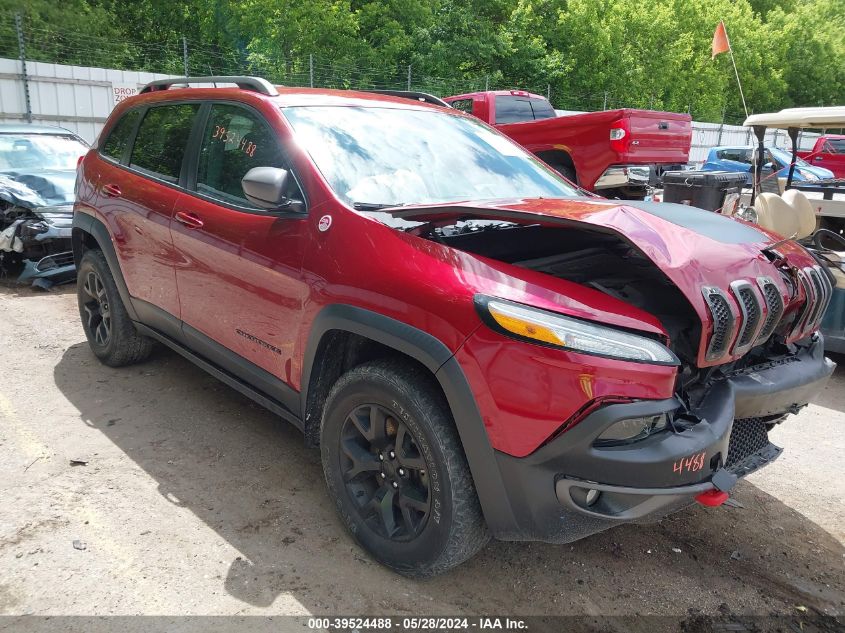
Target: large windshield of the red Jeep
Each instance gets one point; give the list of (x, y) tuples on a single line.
[(392, 157)]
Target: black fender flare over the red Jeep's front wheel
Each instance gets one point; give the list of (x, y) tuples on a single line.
[(440, 360)]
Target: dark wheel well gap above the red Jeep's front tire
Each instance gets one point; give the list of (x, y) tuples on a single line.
[(338, 352)]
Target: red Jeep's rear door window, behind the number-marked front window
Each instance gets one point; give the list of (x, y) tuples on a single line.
[(161, 140)]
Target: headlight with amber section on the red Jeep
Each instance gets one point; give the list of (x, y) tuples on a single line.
[(568, 333)]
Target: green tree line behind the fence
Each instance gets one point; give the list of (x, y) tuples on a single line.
[(587, 54)]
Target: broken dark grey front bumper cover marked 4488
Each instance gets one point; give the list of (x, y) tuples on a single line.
[(646, 480)]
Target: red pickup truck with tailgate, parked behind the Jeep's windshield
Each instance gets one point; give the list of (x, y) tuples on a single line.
[(617, 153)]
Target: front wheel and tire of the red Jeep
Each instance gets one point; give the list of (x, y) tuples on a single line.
[(416, 423)]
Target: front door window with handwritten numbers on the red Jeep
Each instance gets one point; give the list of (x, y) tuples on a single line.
[(234, 141)]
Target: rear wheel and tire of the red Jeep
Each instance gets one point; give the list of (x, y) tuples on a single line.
[(110, 332)]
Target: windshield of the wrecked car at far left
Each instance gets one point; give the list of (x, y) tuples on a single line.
[(39, 151)]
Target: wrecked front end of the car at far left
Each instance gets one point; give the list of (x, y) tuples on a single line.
[(36, 211)]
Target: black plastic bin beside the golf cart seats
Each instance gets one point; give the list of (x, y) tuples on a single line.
[(708, 190)]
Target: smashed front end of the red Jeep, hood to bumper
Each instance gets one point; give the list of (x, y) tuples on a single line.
[(738, 309)]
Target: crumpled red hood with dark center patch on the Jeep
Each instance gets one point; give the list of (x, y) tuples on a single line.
[(693, 247)]
